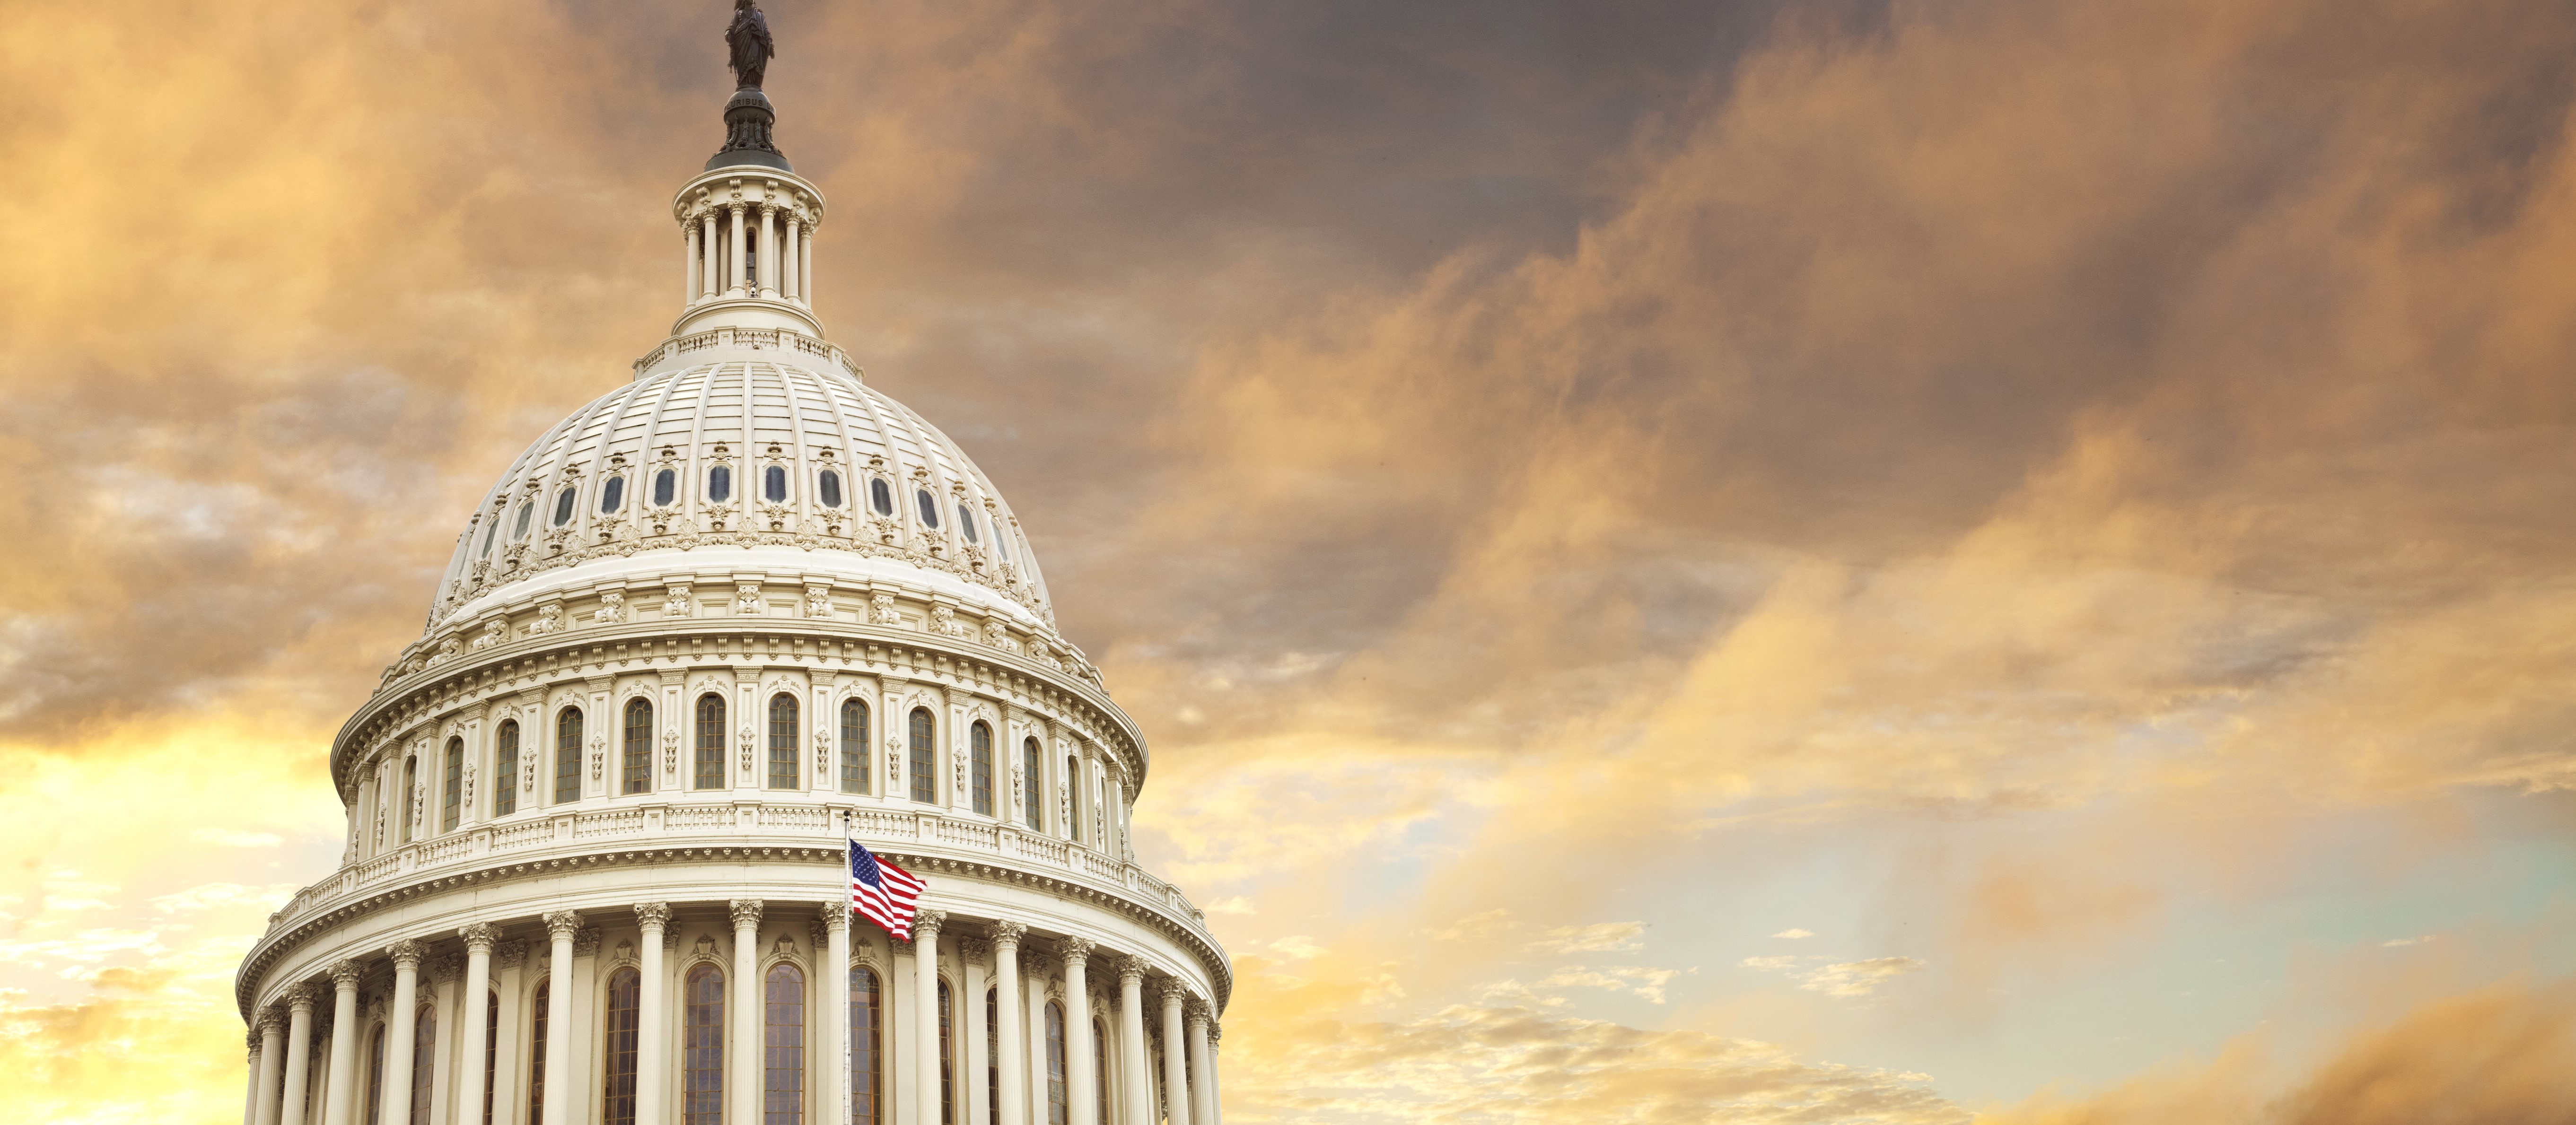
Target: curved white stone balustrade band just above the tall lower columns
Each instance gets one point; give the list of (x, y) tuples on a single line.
[(738, 825)]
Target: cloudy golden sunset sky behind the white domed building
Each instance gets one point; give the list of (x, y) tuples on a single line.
[(1771, 562)]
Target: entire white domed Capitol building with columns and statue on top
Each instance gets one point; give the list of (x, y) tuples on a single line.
[(702, 637)]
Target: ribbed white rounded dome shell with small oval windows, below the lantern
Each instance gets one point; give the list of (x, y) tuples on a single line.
[(746, 457)]
